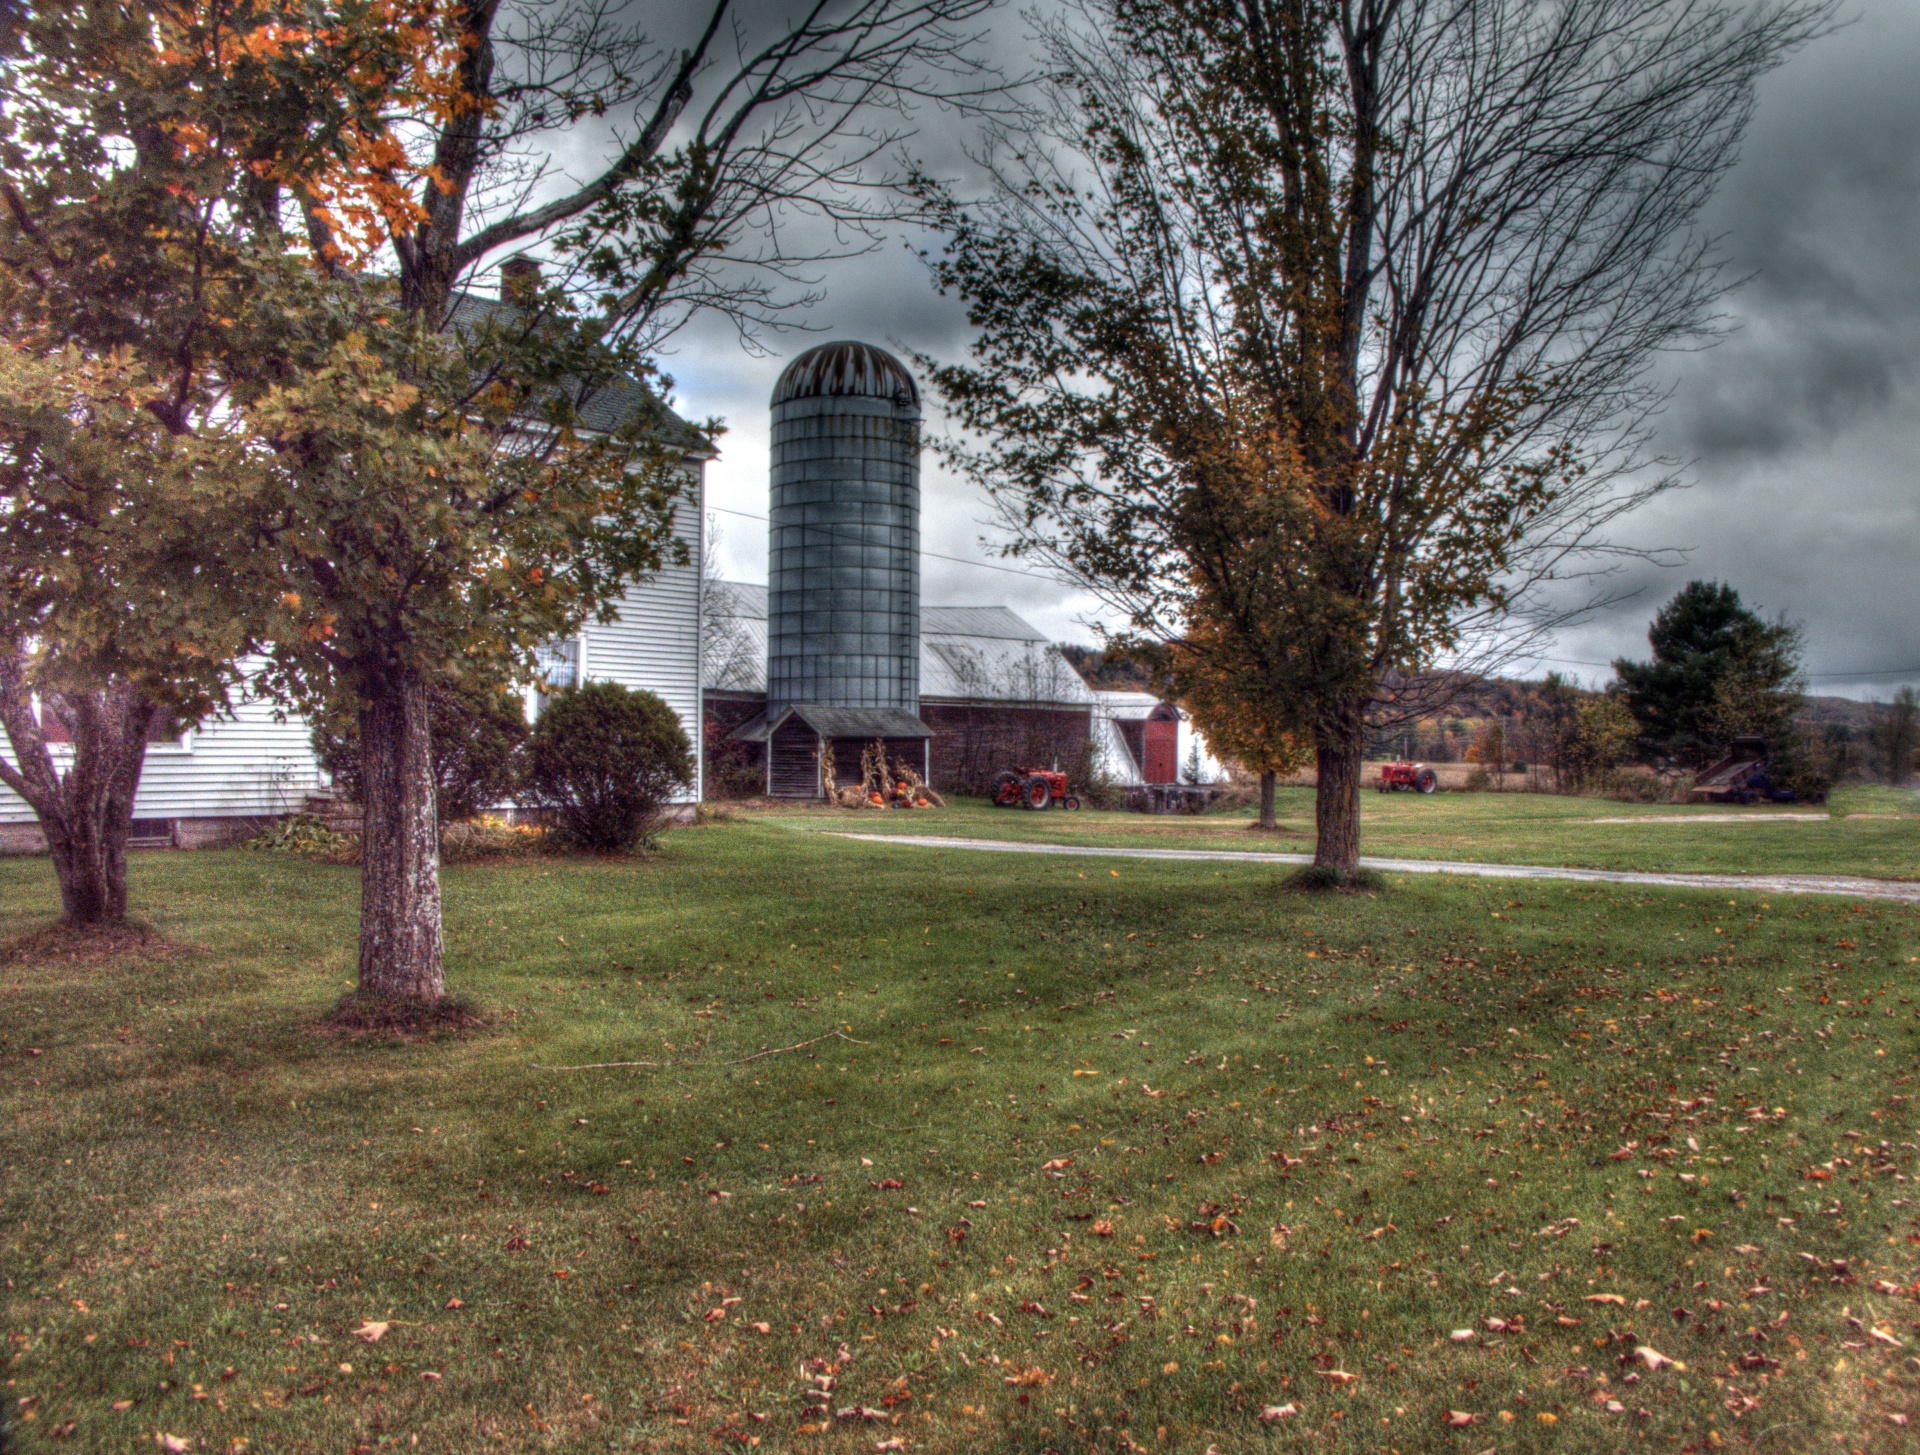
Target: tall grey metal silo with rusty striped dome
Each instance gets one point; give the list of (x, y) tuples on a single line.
[(844, 552)]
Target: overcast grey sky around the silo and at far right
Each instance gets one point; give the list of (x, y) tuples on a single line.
[(1802, 429)]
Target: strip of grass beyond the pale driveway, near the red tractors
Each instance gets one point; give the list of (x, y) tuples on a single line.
[(1871, 832)]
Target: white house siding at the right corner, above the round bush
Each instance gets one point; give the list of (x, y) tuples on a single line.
[(658, 640)]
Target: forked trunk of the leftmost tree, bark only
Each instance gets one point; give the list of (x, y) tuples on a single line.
[(87, 811)]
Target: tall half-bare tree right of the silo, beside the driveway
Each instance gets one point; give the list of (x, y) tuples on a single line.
[(1333, 323)]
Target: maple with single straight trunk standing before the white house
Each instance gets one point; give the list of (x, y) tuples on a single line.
[(492, 519)]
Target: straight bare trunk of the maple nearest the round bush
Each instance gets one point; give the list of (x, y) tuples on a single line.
[(400, 846)]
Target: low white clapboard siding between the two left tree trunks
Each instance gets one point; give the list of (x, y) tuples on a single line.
[(237, 765)]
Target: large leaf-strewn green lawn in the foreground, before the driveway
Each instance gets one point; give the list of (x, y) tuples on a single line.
[(1082, 1158)]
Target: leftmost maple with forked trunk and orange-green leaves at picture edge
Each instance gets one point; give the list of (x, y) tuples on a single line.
[(141, 151)]
